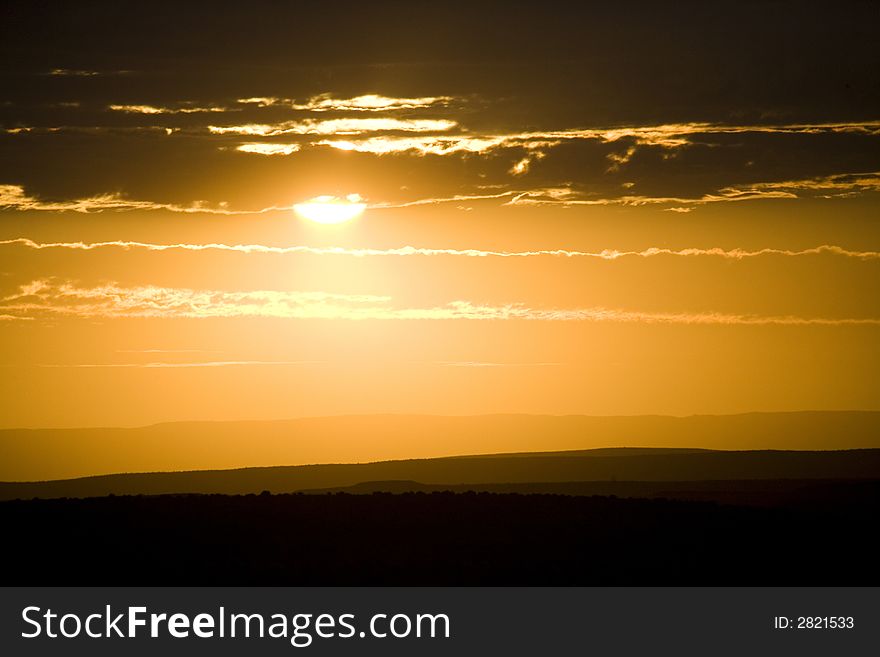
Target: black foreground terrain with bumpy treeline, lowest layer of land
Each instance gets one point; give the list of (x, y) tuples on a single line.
[(437, 538)]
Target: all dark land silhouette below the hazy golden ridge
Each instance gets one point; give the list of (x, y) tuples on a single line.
[(641, 516)]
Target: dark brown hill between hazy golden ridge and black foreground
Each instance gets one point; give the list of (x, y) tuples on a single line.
[(615, 469)]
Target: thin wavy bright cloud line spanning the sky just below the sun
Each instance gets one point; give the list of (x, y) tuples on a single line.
[(605, 254)]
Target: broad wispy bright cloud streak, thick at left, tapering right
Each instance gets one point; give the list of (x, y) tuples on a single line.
[(112, 301)]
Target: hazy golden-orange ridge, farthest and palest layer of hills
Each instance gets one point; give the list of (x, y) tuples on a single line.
[(48, 454)]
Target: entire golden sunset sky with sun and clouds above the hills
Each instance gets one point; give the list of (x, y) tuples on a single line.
[(586, 228)]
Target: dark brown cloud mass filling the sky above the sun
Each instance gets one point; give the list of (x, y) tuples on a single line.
[(506, 70)]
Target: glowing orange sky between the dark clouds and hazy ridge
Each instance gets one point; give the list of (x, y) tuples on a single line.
[(127, 336)]
